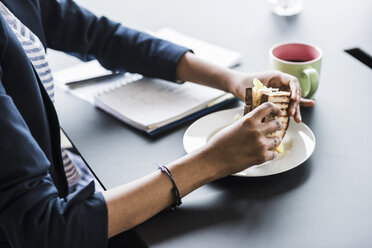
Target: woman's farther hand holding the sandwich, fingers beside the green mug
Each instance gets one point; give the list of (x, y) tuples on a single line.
[(238, 82)]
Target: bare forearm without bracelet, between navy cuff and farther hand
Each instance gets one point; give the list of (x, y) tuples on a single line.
[(193, 69)]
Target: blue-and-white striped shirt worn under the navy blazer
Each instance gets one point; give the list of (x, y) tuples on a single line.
[(77, 176)]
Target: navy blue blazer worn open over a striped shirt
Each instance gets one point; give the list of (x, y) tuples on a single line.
[(35, 210)]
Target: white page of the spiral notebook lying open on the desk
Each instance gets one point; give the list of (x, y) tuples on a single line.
[(151, 103)]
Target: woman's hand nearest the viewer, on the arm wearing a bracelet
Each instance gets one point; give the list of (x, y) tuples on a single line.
[(245, 142)]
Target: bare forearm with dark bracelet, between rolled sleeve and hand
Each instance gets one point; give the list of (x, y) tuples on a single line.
[(133, 203)]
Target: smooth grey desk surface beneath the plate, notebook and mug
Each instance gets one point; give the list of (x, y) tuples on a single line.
[(325, 202)]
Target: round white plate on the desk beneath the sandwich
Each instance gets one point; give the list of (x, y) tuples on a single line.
[(298, 143)]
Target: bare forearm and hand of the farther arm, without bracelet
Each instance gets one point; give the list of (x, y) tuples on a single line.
[(193, 69)]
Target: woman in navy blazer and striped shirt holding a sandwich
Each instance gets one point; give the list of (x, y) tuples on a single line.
[(36, 209)]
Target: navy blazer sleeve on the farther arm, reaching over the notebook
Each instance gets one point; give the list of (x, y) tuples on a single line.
[(75, 30)]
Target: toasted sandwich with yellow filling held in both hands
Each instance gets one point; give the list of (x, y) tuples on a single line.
[(260, 94)]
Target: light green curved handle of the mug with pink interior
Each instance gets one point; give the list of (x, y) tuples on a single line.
[(309, 82)]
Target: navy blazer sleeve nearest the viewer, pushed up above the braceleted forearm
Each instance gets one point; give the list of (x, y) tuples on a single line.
[(31, 213)]
